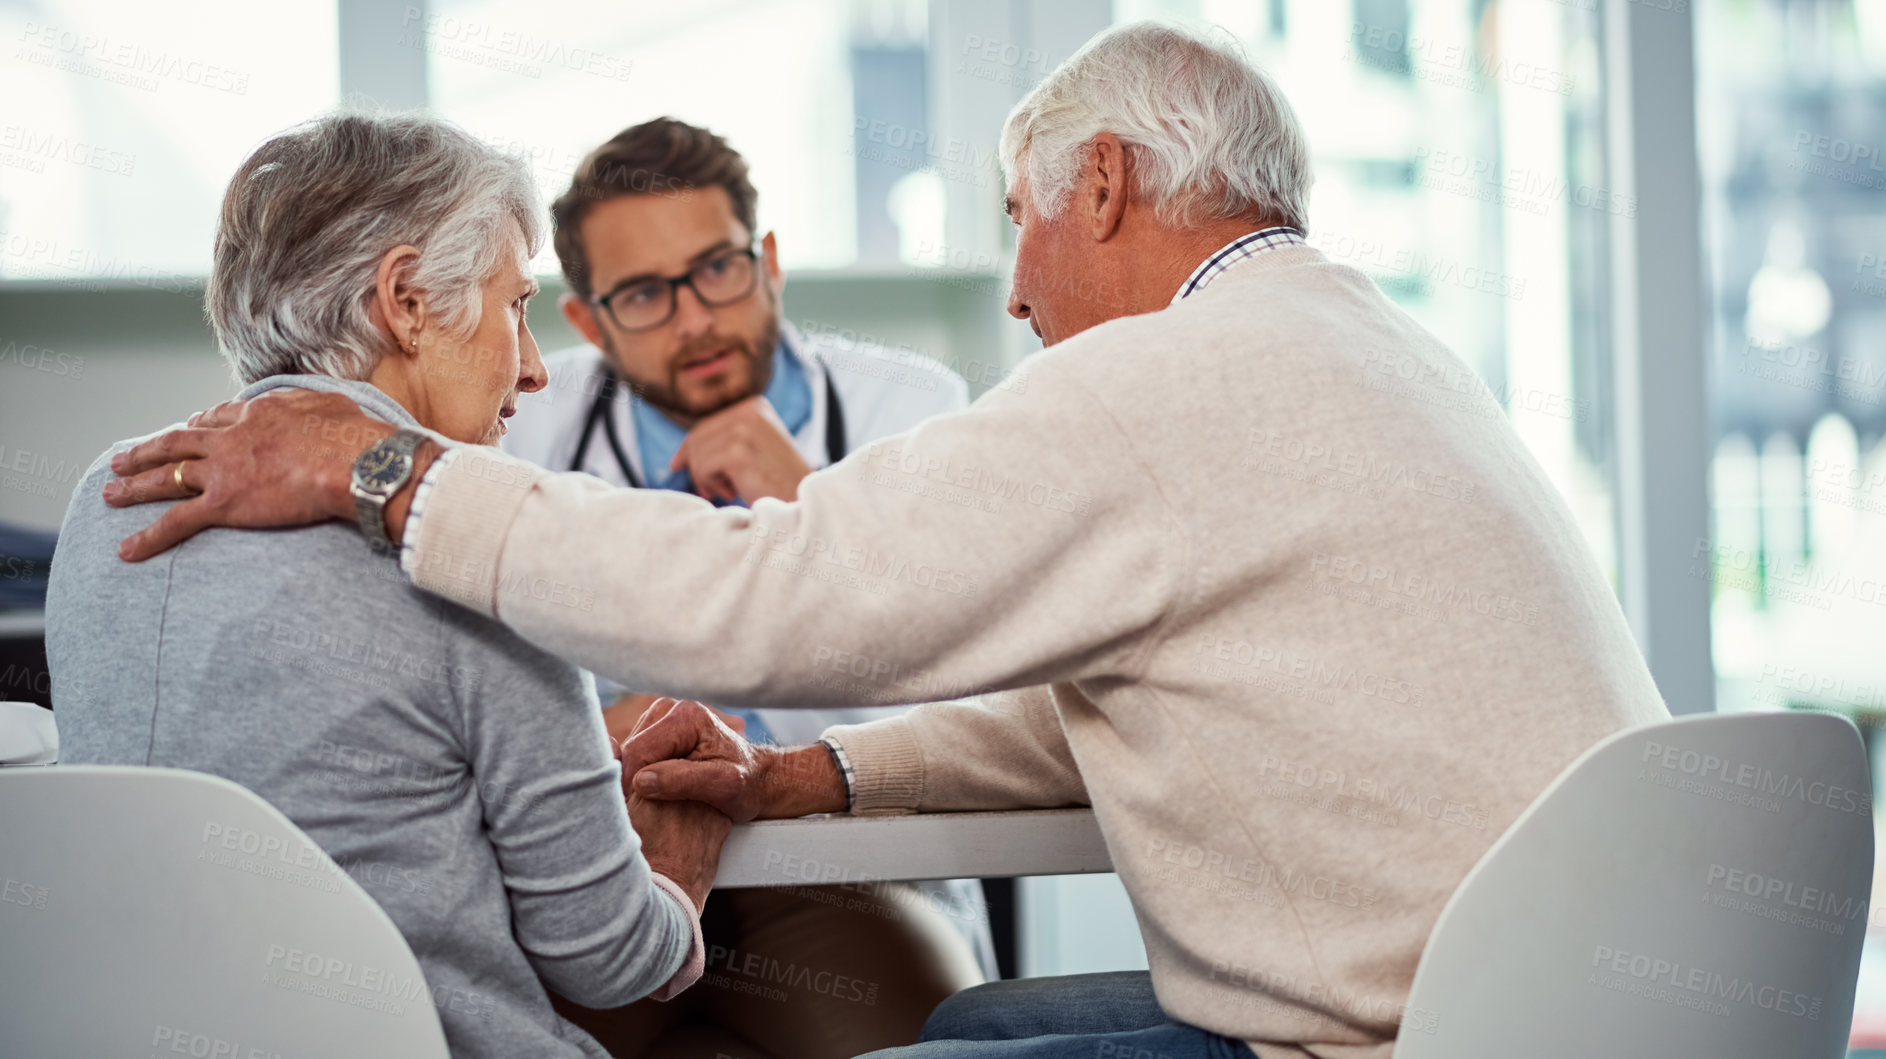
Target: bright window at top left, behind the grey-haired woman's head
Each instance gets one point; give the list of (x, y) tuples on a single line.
[(139, 116)]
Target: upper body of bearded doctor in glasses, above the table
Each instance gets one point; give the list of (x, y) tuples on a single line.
[(691, 378)]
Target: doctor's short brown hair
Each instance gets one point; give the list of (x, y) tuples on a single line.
[(657, 157)]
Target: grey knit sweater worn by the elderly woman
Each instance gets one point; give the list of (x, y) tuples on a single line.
[(455, 772)]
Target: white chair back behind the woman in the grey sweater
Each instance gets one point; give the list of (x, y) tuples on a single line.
[(157, 911)]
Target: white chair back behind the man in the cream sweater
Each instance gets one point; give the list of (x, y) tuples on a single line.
[(1687, 888)]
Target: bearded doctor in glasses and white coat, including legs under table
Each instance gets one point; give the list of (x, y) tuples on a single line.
[(691, 380)]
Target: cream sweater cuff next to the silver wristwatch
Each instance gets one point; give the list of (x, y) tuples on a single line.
[(471, 506)]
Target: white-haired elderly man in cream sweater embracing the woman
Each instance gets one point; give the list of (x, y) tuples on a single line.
[(1306, 645)]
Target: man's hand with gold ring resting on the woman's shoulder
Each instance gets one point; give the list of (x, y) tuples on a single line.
[(284, 459)]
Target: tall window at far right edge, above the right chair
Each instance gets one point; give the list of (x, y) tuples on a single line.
[(1791, 123)]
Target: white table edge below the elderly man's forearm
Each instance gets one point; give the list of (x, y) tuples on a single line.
[(931, 845)]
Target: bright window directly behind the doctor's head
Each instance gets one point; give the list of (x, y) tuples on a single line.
[(823, 123)]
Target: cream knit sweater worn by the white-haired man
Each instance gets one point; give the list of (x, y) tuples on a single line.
[(1300, 621)]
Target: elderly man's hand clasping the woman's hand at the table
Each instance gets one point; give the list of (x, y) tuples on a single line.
[(684, 751)]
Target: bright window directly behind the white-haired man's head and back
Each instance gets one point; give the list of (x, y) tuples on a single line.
[(1459, 163)]
